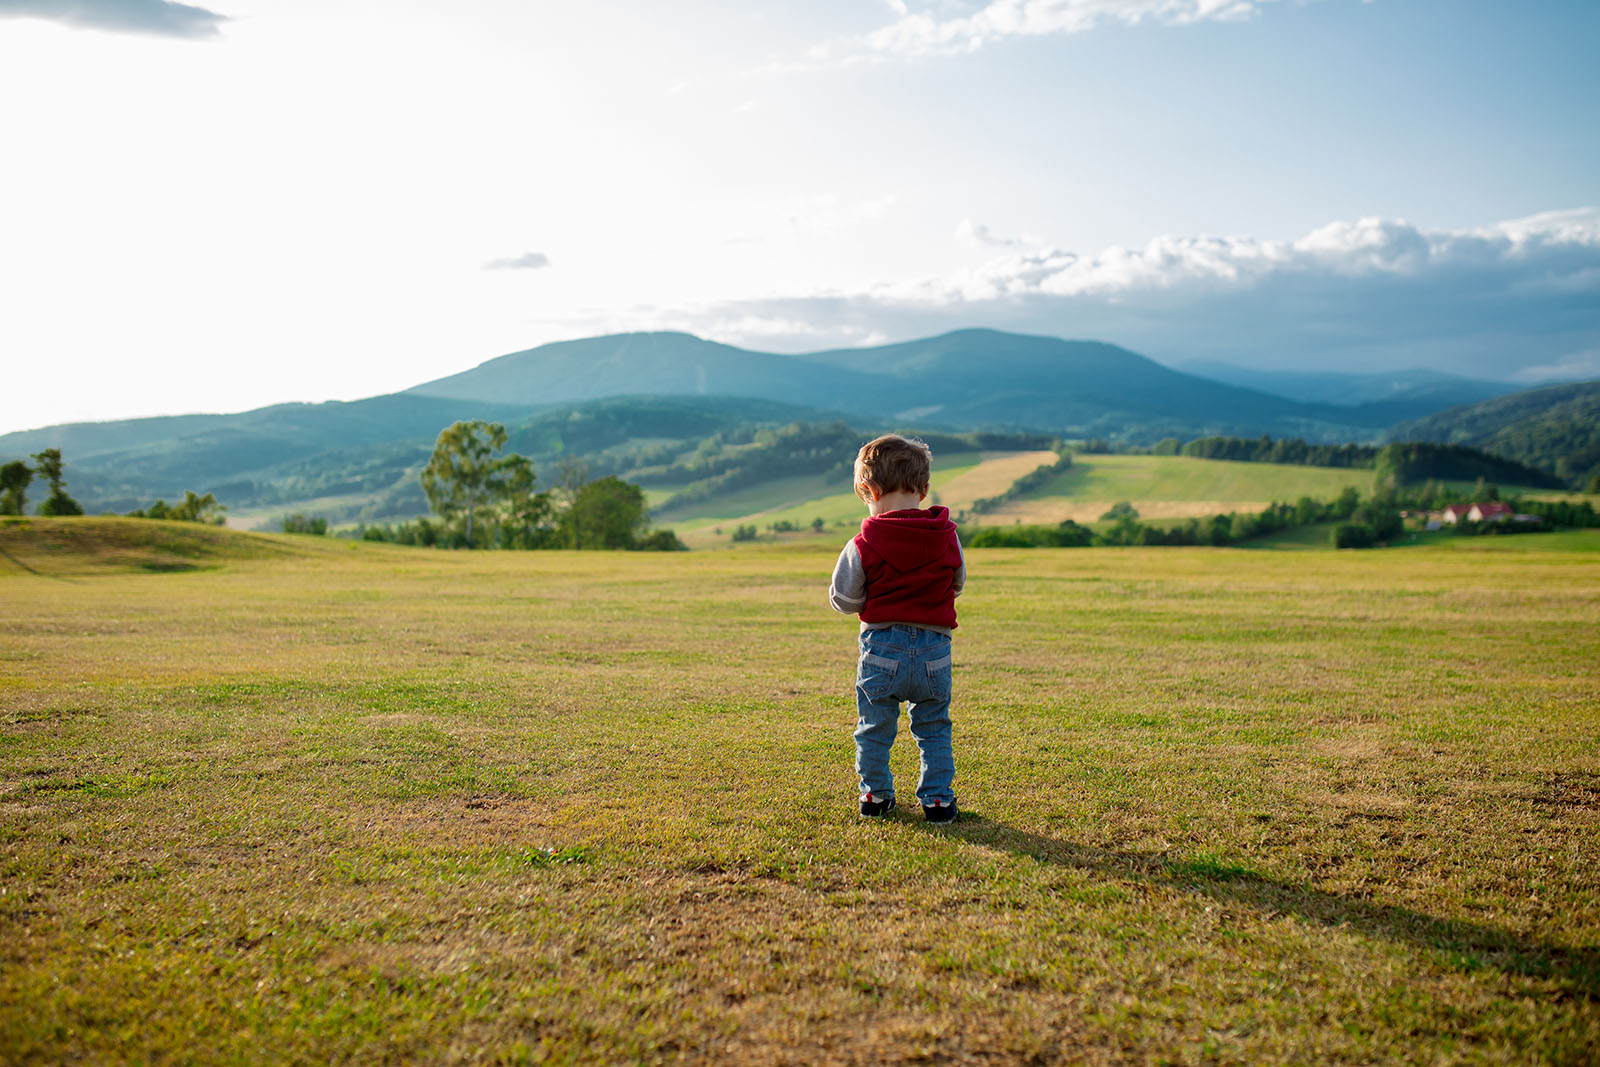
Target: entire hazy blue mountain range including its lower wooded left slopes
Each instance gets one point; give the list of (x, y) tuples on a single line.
[(567, 398)]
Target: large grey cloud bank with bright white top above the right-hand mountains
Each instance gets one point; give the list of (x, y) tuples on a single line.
[(1518, 300)]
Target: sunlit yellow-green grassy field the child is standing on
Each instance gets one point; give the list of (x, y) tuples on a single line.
[(294, 801)]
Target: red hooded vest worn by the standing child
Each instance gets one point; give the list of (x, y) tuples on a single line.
[(911, 559)]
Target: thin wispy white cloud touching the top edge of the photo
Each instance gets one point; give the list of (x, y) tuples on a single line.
[(921, 34)]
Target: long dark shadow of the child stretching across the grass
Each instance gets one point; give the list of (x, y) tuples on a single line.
[(1463, 945)]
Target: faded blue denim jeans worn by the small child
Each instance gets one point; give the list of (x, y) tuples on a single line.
[(905, 663)]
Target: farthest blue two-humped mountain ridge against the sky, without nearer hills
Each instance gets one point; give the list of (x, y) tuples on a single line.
[(961, 380)]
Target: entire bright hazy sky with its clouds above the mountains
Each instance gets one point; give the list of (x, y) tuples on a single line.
[(212, 209)]
